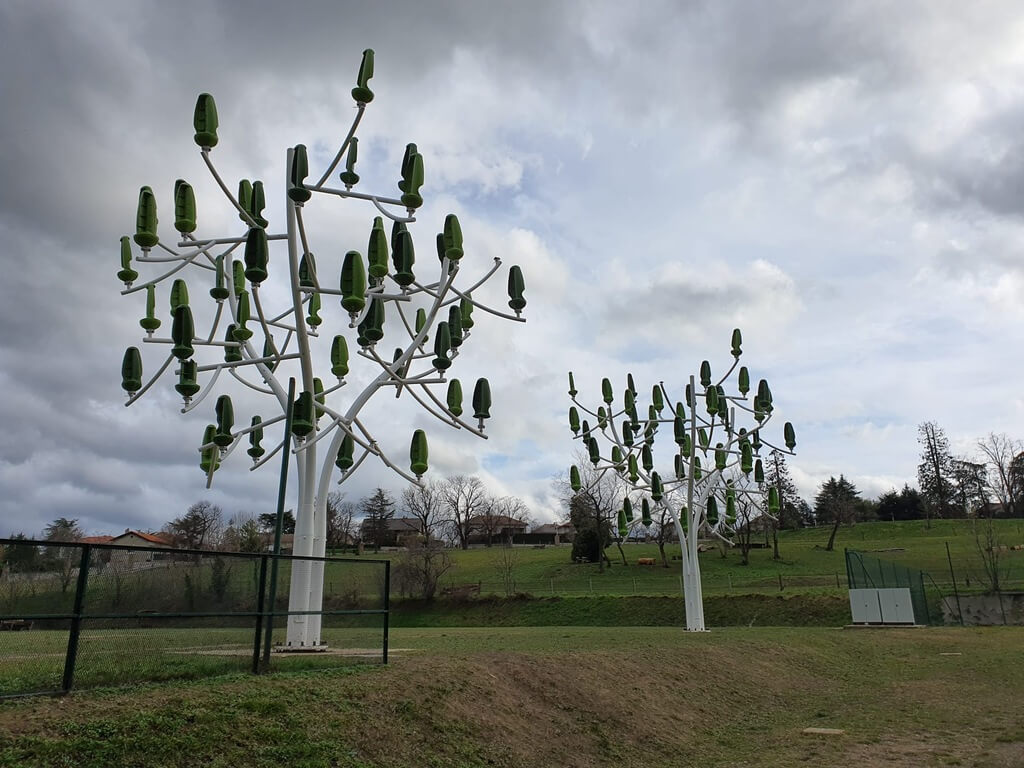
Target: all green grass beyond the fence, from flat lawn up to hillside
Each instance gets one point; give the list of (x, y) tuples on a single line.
[(144, 649)]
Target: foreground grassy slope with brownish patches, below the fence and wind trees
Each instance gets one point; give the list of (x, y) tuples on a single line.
[(582, 697)]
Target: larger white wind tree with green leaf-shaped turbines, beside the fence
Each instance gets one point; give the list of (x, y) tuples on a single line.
[(429, 323)]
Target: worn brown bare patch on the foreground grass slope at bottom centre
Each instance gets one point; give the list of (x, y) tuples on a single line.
[(572, 710)]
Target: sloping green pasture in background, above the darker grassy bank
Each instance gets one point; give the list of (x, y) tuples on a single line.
[(805, 569)]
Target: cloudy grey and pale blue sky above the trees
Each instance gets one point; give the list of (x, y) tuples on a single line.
[(844, 182)]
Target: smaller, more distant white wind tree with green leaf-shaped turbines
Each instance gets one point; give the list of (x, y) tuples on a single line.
[(716, 467)]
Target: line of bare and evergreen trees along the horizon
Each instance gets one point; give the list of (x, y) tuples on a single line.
[(452, 510)]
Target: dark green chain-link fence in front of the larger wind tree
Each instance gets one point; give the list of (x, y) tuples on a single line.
[(87, 615)]
